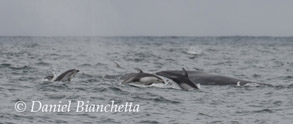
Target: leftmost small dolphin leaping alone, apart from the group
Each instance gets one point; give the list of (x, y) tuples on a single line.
[(65, 76)]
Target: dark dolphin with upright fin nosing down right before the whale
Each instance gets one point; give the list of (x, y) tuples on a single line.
[(182, 80)]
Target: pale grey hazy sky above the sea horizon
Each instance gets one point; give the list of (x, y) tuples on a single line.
[(146, 17)]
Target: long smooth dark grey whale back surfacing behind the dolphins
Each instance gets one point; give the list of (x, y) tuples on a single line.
[(212, 79)]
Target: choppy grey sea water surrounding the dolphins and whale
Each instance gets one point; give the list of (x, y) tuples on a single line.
[(24, 61)]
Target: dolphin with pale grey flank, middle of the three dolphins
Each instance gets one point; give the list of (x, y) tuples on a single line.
[(141, 78)]
